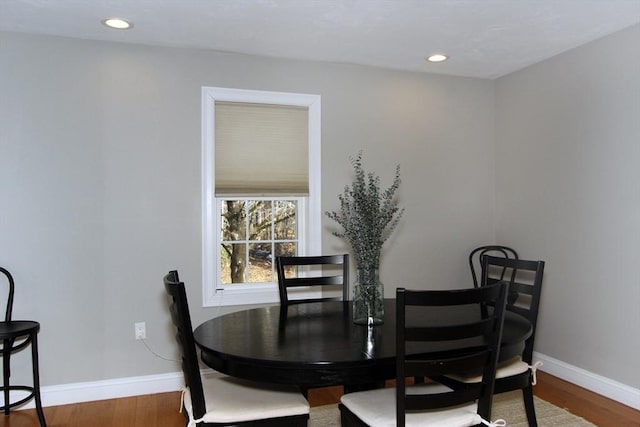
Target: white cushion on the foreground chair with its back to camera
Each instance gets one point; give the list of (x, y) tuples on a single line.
[(377, 408)]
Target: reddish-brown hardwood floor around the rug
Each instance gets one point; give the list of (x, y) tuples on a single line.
[(161, 410)]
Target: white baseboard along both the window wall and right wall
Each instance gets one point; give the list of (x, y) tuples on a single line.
[(135, 386)]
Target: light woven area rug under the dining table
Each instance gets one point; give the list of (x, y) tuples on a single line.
[(507, 406)]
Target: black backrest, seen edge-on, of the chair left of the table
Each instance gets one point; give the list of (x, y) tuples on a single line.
[(181, 319)]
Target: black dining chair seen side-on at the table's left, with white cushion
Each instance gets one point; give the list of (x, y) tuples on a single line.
[(220, 400)]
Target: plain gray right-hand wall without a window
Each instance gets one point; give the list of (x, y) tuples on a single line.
[(567, 174)]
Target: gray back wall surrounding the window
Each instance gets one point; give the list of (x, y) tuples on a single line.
[(100, 183)]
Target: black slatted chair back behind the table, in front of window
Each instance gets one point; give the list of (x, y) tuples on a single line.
[(324, 270)]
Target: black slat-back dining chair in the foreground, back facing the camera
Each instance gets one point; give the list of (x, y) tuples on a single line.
[(431, 403)]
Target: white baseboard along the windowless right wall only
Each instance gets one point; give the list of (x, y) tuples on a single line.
[(598, 384)]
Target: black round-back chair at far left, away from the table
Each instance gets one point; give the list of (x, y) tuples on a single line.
[(16, 335)]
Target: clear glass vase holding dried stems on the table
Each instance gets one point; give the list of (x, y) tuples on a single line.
[(368, 298)]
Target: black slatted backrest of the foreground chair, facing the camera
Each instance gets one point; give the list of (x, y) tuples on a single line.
[(482, 328)]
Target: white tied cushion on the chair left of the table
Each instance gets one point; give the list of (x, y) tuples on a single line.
[(230, 399)]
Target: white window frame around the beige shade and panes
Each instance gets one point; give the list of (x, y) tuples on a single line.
[(310, 211)]
